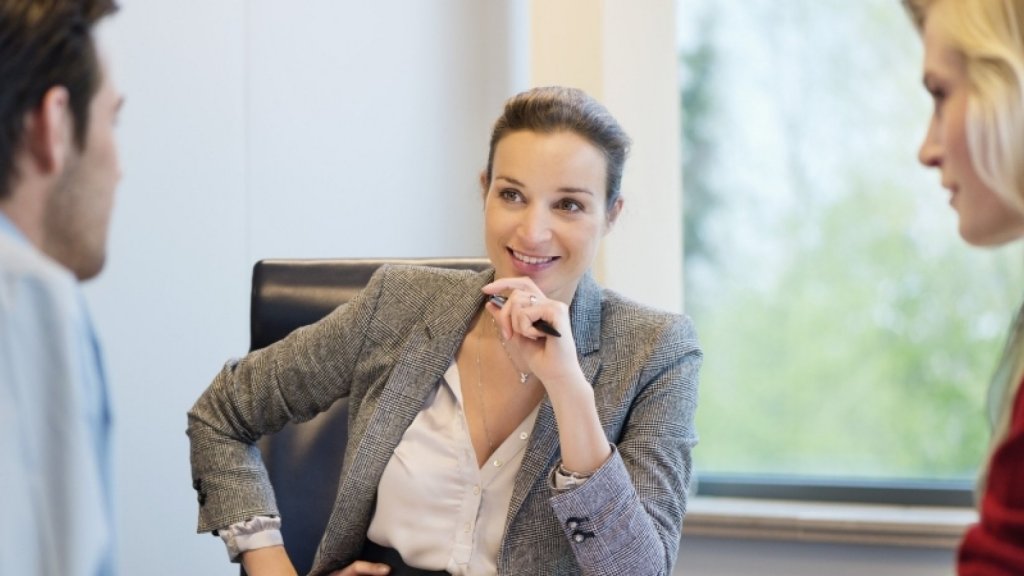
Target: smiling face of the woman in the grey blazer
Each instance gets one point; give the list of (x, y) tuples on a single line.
[(545, 210)]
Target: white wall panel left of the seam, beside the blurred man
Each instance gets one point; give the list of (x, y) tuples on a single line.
[(172, 305)]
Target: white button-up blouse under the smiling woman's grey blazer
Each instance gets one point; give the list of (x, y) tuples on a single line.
[(435, 505)]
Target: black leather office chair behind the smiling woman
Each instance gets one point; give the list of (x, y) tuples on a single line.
[(305, 461)]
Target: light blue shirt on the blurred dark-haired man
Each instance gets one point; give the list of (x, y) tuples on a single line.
[(56, 486)]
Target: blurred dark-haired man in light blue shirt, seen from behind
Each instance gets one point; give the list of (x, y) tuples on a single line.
[(59, 171)]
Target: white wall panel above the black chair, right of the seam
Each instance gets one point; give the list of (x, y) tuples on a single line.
[(369, 126)]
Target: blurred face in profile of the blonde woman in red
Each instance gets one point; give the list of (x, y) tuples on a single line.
[(985, 219)]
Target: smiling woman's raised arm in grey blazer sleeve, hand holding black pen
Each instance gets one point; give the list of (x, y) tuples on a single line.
[(626, 518)]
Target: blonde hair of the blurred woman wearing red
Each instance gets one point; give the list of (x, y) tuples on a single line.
[(988, 34)]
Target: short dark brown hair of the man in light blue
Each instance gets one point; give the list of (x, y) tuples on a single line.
[(46, 44)]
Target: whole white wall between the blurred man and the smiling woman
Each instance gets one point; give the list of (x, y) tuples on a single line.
[(253, 130)]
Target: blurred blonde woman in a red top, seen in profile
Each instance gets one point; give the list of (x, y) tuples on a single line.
[(974, 70)]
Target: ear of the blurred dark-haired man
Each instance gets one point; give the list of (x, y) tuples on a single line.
[(49, 132)]
